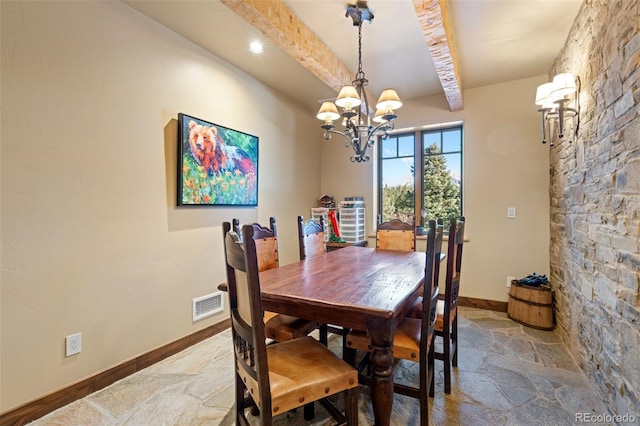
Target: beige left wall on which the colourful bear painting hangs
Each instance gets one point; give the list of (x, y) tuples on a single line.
[(91, 239)]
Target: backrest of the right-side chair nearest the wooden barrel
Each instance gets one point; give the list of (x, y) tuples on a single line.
[(454, 265)]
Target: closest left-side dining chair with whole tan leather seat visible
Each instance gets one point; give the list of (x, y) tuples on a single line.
[(282, 376)]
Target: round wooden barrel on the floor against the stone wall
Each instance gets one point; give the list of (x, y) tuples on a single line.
[(531, 306)]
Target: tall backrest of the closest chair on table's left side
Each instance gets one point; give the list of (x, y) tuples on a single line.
[(247, 326)]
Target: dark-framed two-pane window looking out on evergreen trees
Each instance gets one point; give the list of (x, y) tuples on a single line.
[(439, 180)]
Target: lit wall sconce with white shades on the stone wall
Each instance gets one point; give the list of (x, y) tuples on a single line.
[(559, 100)]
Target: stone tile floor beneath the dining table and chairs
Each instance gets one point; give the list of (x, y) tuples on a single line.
[(507, 374)]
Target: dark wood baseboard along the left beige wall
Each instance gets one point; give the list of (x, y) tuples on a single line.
[(35, 409)]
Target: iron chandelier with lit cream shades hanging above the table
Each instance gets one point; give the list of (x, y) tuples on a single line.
[(352, 99)]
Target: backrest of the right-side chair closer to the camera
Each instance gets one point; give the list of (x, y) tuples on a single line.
[(430, 292)]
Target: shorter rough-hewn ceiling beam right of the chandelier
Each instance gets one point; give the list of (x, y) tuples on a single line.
[(436, 26)]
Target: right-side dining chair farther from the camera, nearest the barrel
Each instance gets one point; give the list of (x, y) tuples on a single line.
[(447, 319)]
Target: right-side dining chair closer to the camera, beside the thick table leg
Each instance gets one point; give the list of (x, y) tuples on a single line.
[(413, 340)]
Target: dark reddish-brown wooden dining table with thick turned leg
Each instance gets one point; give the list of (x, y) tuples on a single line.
[(358, 288)]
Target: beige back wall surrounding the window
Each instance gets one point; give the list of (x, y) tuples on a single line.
[(505, 165)]
